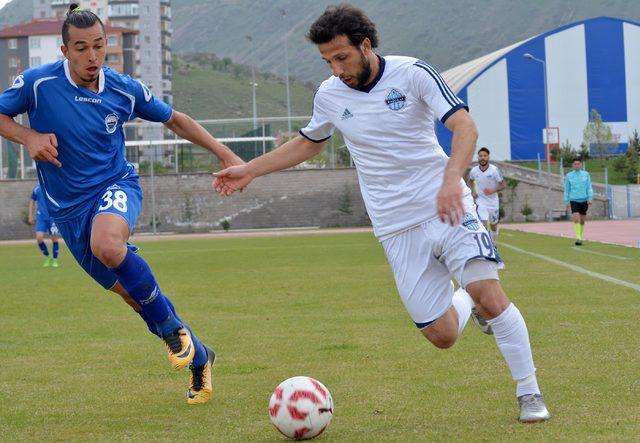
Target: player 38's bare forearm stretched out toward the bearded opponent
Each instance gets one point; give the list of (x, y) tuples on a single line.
[(187, 128)]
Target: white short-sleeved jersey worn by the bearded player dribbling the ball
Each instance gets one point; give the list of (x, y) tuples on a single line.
[(389, 129)]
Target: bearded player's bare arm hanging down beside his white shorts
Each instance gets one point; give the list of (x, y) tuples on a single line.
[(463, 143)]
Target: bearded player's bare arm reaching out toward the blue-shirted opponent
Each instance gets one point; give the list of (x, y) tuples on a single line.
[(292, 153)]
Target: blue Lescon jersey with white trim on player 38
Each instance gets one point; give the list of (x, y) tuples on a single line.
[(88, 127)]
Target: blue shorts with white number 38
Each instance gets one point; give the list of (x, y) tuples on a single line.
[(123, 198)]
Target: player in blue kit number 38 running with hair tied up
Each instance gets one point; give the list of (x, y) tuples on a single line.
[(77, 108)]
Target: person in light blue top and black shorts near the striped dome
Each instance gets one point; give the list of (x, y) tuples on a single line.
[(578, 193)]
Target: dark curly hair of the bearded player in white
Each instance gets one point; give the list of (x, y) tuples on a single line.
[(343, 19)]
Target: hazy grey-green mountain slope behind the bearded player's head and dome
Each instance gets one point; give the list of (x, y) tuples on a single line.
[(444, 33)]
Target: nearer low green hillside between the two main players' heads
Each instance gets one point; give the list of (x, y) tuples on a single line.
[(208, 88)]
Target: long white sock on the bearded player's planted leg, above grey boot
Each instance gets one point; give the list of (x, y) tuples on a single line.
[(512, 338)]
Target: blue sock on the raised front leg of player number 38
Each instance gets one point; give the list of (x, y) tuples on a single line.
[(136, 278)]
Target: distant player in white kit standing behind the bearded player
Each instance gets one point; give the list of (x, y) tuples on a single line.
[(488, 181)]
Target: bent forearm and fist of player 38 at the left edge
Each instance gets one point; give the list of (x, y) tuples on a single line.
[(41, 147)]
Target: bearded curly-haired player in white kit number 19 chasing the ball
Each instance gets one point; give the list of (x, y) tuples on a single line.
[(420, 208)]
